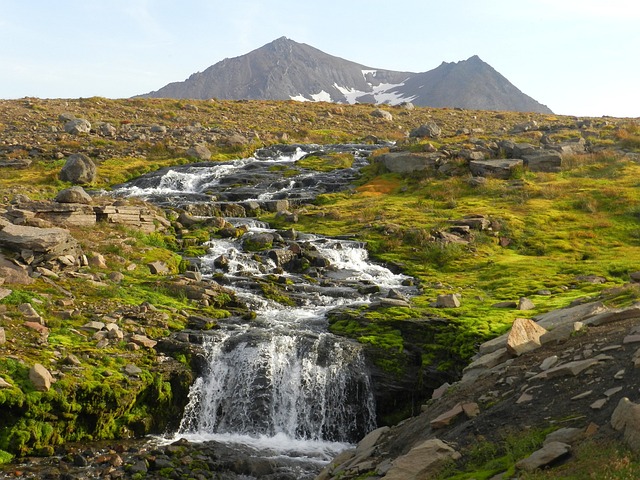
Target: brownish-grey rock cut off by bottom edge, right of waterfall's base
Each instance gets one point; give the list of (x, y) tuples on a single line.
[(422, 461)]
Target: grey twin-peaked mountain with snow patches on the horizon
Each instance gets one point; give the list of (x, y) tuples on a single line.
[(287, 70)]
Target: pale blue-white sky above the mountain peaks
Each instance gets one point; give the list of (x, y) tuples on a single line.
[(578, 57)]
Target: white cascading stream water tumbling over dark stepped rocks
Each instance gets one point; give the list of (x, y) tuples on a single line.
[(280, 376)]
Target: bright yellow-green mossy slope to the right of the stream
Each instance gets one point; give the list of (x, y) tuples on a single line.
[(547, 231)]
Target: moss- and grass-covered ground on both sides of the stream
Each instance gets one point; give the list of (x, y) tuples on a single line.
[(584, 220)]
